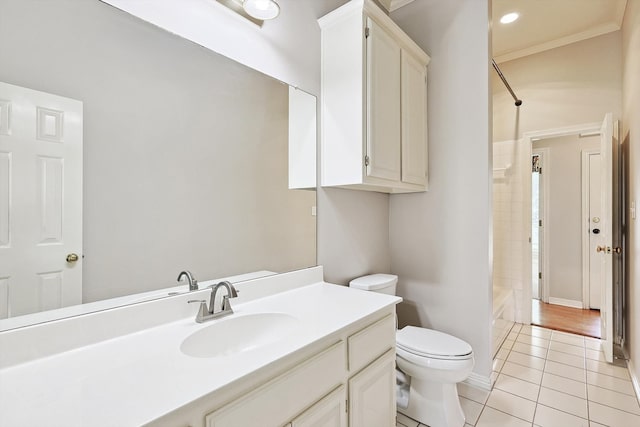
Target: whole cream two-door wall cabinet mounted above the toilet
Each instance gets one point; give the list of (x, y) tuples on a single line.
[(374, 102)]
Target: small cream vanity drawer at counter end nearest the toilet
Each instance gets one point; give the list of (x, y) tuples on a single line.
[(368, 344)]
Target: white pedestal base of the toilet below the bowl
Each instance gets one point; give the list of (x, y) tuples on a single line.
[(434, 404)]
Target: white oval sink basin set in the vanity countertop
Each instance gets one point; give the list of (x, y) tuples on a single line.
[(239, 333)]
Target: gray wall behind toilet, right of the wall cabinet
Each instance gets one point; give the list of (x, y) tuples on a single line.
[(441, 240)]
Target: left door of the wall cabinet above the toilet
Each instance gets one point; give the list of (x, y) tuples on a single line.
[(383, 104)]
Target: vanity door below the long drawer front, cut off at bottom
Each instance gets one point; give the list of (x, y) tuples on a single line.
[(331, 411)]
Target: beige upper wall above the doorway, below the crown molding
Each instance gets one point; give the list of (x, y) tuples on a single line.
[(570, 85)]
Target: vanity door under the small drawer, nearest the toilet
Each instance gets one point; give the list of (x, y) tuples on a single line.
[(372, 394)]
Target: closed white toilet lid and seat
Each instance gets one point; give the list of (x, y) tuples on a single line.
[(433, 344)]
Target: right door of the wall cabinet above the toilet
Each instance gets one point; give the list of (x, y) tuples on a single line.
[(414, 120)]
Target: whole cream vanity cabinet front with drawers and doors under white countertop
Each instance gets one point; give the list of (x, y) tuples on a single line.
[(350, 383)]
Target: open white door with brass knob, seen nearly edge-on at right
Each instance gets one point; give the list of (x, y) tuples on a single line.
[(605, 249)]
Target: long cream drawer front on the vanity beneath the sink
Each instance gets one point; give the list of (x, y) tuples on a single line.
[(278, 401)]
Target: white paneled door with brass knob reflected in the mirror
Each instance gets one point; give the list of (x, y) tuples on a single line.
[(40, 201)]
